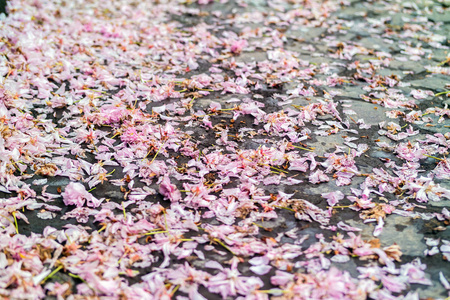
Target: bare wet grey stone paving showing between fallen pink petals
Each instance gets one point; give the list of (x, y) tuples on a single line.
[(408, 232)]
